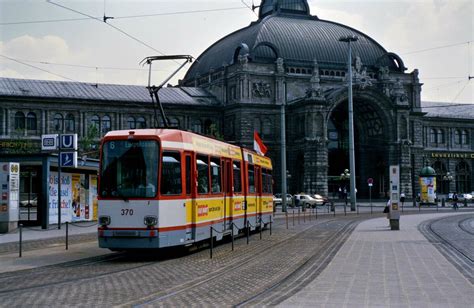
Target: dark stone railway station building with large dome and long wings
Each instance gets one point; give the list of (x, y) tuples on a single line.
[(287, 57)]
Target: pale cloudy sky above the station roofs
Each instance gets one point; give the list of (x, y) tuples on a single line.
[(68, 40)]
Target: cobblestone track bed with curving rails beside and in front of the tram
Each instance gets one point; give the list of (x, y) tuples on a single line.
[(182, 279)]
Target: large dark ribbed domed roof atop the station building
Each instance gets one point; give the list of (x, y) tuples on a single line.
[(293, 34)]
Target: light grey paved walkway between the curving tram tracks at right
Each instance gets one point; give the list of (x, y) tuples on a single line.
[(378, 267)]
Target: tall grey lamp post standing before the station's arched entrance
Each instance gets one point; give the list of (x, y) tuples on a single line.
[(348, 39)]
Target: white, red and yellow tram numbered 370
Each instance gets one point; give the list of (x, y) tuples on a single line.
[(167, 187)]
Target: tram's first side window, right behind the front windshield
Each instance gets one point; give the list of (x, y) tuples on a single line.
[(171, 174)]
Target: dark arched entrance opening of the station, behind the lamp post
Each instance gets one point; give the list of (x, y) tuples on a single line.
[(372, 147)]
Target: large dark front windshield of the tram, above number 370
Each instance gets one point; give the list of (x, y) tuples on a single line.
[(129, 169)]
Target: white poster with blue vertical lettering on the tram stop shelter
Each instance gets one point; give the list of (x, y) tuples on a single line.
[(66, 197)]
